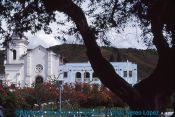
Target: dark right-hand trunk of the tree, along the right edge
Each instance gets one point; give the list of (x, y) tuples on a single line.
[(158, 87)]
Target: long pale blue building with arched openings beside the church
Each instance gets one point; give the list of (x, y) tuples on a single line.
[(82, 72)]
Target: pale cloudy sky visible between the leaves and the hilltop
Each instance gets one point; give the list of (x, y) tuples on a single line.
[(128, 39)]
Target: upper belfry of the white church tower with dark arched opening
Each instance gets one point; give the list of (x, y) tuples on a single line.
[(17, 48)]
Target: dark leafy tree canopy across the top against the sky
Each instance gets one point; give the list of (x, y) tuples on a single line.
[(31, 15)]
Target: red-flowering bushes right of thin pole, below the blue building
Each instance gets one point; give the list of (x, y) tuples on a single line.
[(90, 96)]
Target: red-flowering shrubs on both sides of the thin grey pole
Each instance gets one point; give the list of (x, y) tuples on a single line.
[(75, 96)]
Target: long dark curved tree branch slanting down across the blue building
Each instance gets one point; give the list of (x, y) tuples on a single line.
[(102, 67)]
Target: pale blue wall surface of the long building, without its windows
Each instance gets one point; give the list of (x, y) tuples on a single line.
[(120, 67)]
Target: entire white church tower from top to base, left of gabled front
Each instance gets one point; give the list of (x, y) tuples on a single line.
[(14, 64)]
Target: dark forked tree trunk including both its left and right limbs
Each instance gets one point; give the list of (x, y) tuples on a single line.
[(149, 94)]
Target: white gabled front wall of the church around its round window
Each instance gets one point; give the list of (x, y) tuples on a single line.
[(49, 61)]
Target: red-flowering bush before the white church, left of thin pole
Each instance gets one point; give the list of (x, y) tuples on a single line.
[(42, 93)]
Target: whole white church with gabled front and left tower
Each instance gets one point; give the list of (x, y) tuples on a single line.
[(24, 67)]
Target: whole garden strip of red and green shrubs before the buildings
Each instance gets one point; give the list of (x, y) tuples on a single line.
[(46, 97)]
